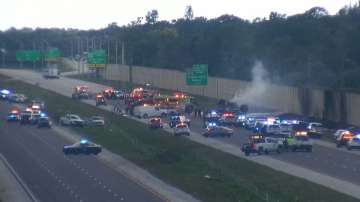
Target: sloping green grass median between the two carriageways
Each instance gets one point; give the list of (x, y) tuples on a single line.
[(206, 173)]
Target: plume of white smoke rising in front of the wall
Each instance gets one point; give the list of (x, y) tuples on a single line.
[(253, 93)]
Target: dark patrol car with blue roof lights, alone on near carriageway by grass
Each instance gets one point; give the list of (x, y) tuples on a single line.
[(82, 147)]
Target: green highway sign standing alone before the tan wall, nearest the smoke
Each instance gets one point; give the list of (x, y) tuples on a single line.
[(198, 75)]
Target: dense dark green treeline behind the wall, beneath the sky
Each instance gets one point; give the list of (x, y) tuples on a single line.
[(312, 48)]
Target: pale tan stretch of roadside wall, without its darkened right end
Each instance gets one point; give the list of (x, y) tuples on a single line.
[(276, 97)]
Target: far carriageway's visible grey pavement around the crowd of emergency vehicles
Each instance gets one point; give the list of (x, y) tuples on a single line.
[(334, 162)]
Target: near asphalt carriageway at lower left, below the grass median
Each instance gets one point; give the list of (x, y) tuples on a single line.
[(36, 155)]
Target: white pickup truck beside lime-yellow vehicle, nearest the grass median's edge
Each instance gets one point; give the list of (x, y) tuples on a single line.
[(263, 145)]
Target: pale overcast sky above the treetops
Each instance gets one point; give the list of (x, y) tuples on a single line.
[(91, 14)]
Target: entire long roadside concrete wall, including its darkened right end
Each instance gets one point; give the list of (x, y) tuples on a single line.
[(281, 98)]
